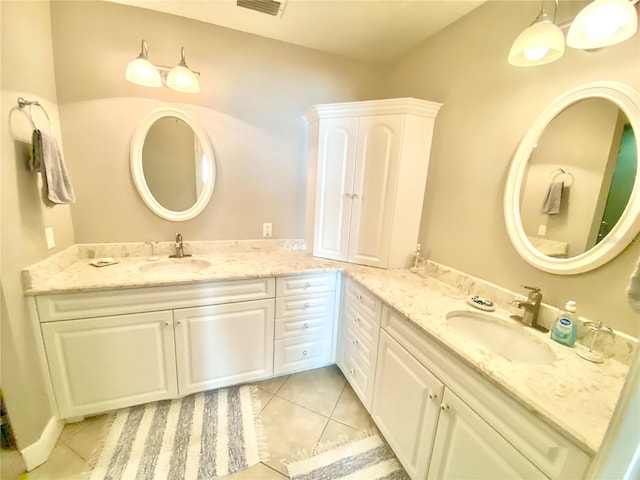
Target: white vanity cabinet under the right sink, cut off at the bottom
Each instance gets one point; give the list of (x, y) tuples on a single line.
[(481, 432)]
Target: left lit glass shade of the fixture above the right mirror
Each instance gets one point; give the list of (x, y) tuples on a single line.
[(541, 43)]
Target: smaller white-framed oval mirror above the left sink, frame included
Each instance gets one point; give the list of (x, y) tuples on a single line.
[(172, 164)]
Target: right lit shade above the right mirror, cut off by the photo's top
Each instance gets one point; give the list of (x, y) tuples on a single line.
[(603, 23)]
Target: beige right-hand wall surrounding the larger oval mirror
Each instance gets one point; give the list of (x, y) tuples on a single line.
[(488, 105)]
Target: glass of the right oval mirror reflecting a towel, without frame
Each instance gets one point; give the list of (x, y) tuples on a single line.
[(579, 178)]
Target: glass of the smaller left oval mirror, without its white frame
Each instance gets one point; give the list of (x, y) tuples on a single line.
[(173, 164)]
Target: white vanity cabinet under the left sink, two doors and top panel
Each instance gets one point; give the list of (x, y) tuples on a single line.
[(111, 349)]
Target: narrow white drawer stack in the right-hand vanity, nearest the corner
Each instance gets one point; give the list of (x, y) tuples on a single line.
[(360, 331)]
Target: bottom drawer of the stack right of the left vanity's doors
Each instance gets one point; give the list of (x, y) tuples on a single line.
[(303, 353)]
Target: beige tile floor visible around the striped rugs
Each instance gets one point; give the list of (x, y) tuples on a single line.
[(299, 412)]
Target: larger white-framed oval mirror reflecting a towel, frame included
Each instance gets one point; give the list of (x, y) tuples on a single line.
[(572, 198)]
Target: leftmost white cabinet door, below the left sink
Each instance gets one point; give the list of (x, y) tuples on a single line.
[(101, 364)]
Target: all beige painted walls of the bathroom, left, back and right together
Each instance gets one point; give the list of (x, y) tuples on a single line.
[(254, 92)]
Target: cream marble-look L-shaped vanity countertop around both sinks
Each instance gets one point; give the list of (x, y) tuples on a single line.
[(574, 396)]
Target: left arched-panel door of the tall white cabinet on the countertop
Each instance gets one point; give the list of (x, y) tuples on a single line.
[(336, 164)]
